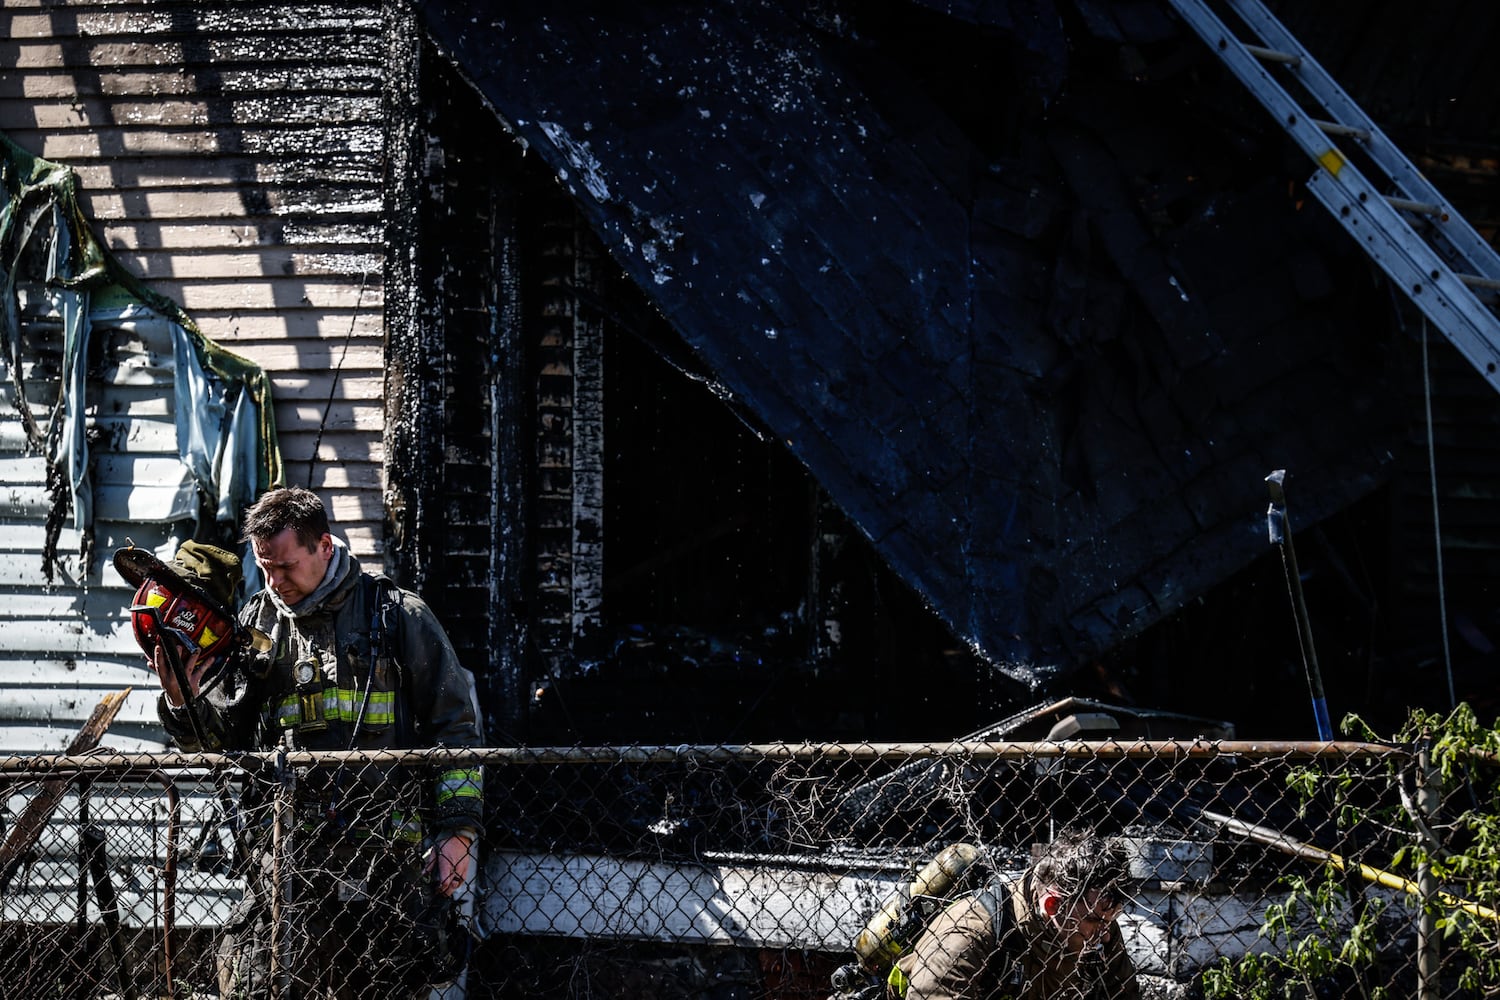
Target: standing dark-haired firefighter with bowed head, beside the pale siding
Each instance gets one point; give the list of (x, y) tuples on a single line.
[(355, 897)]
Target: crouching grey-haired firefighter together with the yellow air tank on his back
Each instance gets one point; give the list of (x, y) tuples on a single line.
[(965, 933)]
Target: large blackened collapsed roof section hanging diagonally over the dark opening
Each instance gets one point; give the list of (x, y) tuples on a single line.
[(1042, 343)]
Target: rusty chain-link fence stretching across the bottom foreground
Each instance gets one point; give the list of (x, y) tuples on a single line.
[(727, 872)]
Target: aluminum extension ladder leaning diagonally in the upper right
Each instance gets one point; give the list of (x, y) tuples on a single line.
[(1400, 220)]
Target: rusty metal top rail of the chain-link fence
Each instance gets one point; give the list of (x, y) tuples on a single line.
[(149, 764)]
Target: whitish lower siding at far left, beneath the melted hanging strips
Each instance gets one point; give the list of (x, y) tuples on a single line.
[(65, 641)]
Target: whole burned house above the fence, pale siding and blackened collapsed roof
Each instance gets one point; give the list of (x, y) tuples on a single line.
[(853, 371)]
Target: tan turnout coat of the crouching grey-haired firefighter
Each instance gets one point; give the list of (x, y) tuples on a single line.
[(994, 947)]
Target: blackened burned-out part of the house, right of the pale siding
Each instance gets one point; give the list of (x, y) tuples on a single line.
[(941, 358)]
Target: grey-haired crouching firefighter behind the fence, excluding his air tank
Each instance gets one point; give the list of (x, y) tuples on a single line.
[(1049, 935)]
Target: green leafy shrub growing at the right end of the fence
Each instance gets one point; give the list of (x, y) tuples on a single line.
[(1322, 938)]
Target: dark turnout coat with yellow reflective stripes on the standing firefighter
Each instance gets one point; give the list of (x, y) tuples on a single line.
[(361, 665)]
